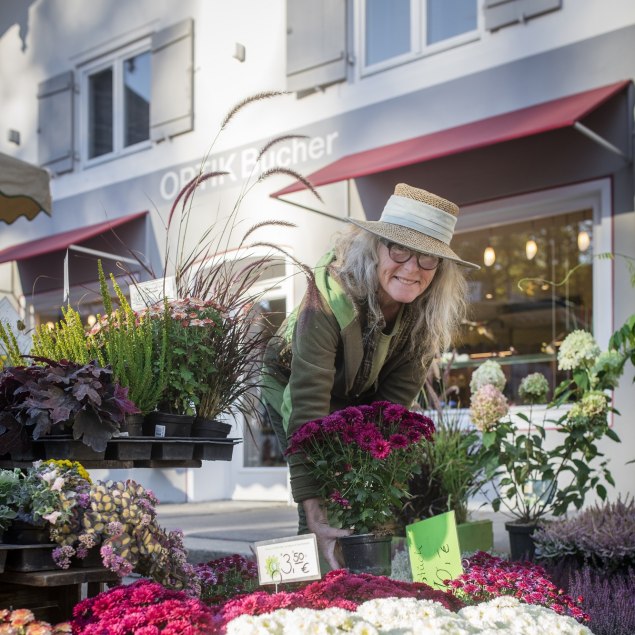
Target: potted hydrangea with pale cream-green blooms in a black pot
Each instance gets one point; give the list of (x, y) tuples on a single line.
[(530, 477)]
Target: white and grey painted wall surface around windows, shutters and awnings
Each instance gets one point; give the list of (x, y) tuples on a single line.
[(583, 45)]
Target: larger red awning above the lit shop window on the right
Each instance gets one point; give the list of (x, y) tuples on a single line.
[(552, 115)]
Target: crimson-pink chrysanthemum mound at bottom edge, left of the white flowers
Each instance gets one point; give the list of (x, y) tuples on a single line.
[(143, 608)]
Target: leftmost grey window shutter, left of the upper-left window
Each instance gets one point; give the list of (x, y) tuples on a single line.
[(56, 105)]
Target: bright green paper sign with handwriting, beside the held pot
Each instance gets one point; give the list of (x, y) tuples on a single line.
[(433, 545)]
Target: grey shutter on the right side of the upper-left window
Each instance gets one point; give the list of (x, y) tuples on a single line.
[(171, 105)]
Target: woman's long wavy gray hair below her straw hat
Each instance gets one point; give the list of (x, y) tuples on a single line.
[(439, 310)]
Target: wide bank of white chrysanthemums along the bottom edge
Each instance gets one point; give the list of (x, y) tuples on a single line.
[(407, 616)]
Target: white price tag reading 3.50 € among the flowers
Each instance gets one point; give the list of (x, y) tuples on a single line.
[(288, 559)]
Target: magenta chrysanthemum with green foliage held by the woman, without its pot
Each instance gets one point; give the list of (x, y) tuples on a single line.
[(363, 458)]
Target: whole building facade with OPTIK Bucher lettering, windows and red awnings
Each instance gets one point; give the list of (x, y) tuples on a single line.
[(520, 111)]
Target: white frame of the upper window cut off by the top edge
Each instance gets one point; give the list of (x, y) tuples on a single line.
[(418, 29)]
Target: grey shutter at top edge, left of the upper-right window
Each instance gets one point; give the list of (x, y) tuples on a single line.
[(316, 43)]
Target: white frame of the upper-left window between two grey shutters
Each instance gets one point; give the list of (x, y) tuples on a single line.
[(115, 61)]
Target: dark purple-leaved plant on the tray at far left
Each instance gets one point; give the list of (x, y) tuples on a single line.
[(48, 395)]
